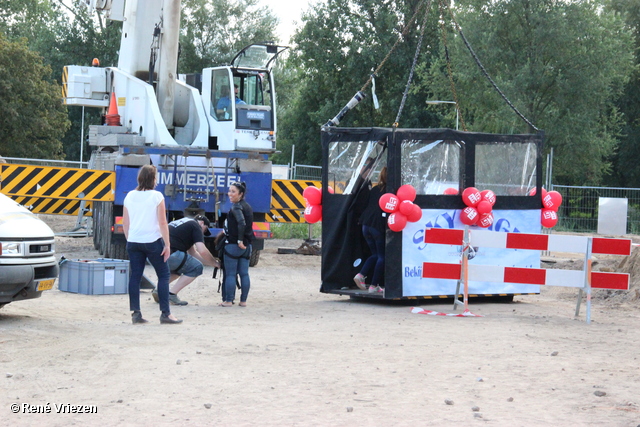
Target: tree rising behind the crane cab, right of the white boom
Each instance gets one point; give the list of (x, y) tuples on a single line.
[(213, 31)]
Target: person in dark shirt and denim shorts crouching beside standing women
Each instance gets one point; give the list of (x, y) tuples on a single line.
[(188, 254)]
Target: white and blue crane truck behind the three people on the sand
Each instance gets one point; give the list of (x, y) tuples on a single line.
[(199, 136)]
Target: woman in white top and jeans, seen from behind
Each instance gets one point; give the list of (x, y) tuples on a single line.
[(145, 227)]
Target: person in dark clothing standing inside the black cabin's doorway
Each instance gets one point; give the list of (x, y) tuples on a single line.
[(374, 223)]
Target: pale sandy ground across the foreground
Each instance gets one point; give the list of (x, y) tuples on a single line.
[(296, 357)]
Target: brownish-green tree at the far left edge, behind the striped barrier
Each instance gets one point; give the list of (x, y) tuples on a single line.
[(32, 118)]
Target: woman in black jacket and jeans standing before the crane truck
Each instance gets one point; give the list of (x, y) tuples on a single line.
[(237, 251)]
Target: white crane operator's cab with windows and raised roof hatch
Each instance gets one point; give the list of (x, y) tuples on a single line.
[(240, 103)]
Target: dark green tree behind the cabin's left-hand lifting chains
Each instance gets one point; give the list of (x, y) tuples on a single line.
[(339, 45)]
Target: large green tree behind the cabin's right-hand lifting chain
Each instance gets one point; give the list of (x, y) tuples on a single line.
[(563, 64)]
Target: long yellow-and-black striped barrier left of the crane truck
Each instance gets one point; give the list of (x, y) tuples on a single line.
[(57, 183)]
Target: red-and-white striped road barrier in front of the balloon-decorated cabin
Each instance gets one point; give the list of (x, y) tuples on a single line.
[(584, 279)]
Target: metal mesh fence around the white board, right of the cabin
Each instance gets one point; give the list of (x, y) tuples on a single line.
[(579, 209)]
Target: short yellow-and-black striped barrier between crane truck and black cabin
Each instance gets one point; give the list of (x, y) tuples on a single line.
[(287, 203)]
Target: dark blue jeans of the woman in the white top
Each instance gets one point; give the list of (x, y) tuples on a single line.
[(138, 254)]
